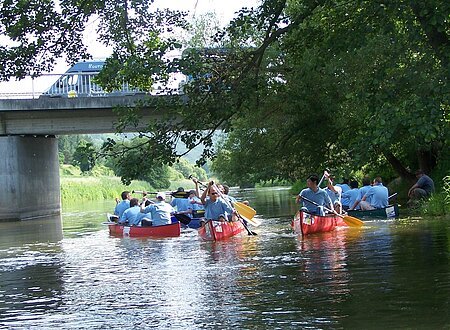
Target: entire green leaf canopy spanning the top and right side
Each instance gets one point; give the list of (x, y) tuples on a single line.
[(295, 85)]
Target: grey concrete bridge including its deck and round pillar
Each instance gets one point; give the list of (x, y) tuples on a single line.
[(29, 166)]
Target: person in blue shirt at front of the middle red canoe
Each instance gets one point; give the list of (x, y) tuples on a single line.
[(215, 207)]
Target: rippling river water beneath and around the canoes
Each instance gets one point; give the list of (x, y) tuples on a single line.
[(386, 275)]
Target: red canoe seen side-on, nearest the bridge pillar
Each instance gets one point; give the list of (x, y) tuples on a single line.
[(171, 230)]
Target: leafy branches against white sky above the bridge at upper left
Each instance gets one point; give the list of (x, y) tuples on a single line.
[(35, 33)]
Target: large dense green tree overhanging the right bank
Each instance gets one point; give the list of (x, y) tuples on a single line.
[(348, 73)]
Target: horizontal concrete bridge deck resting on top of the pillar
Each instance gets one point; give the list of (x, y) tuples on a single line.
[(59, 116)]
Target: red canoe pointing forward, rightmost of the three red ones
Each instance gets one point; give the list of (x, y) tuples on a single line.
[(305, 223)]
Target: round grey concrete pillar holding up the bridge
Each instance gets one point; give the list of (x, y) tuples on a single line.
[(29, 177)]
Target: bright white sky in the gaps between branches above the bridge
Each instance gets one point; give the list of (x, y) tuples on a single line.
[(224, 11)]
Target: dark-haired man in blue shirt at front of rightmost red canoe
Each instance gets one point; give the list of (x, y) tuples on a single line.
[(315, 194)]
